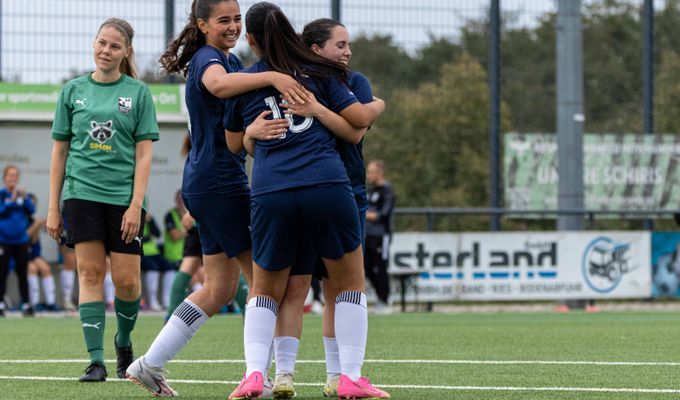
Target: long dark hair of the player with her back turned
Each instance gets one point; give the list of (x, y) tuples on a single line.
[(283, 49)]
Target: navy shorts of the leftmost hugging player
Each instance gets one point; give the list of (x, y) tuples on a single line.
[(222, 222)]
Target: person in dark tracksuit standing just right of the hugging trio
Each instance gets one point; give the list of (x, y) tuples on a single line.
[(378, 231)]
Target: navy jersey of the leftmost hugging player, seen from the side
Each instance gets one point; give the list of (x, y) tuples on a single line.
[(210, 168)]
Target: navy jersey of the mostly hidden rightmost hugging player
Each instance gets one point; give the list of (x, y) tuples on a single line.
[(352, 154)]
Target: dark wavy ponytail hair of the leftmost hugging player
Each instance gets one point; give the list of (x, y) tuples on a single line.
[(177, 55)]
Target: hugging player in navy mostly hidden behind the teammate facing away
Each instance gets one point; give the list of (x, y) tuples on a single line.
[(329, 39)]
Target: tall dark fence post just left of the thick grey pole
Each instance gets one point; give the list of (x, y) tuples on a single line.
[(494, 72)]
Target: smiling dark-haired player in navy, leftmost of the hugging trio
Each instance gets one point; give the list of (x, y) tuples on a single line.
[(215, 186)]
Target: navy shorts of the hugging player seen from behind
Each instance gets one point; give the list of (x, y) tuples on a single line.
[(283, 222)]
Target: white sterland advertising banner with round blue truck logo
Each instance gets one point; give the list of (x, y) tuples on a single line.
[(524, 265)]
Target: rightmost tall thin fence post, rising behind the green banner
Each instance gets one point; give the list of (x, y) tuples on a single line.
[(648, 78)]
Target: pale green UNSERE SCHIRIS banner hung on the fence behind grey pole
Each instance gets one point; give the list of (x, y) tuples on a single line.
[(620, 171)]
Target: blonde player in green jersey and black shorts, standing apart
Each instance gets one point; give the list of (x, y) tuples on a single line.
[(103, 128)]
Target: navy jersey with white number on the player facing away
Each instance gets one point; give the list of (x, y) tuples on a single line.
[(305, 155)]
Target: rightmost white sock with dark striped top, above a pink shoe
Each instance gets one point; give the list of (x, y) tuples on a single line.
[(351, 331)]
